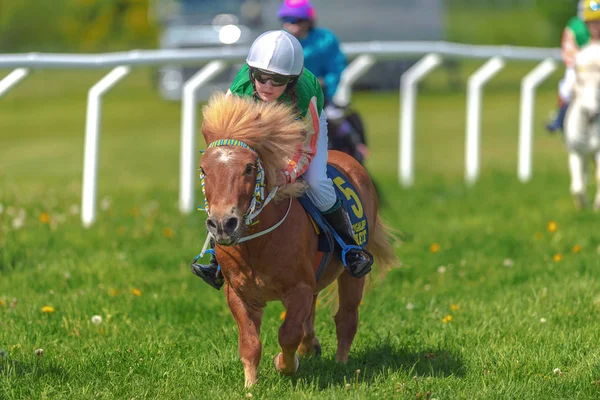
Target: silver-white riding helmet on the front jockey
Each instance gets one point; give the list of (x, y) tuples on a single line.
[(278, 52)]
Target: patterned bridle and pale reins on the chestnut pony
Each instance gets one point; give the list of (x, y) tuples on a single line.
[(258, 202)]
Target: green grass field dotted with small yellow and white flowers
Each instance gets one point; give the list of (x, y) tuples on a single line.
[(497, 297)]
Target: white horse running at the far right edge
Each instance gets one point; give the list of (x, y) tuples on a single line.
[(582, 124)]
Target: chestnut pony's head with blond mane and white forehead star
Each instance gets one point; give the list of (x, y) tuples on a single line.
[(248, 142)]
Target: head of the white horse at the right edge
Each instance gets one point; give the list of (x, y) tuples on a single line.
[(587, 87)]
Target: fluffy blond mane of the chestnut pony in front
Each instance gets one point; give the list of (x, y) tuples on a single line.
[(270, 128)]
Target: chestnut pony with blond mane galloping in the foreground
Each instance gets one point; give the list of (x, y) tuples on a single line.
[(278, 265)]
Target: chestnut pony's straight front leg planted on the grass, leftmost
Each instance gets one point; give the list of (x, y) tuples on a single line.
[(248, 320)]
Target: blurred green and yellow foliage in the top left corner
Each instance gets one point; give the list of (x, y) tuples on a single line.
[(75, 25)]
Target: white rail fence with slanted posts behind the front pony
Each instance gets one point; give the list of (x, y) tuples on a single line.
[(365, 56)]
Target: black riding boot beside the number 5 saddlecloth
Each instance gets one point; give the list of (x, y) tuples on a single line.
[(358, 264)]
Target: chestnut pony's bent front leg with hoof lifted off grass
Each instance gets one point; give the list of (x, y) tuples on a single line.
[(298, 305)]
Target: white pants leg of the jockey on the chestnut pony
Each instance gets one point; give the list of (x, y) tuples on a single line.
[(321, 191)]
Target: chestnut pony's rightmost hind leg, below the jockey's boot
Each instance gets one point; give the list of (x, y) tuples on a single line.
[(346, 320)]
